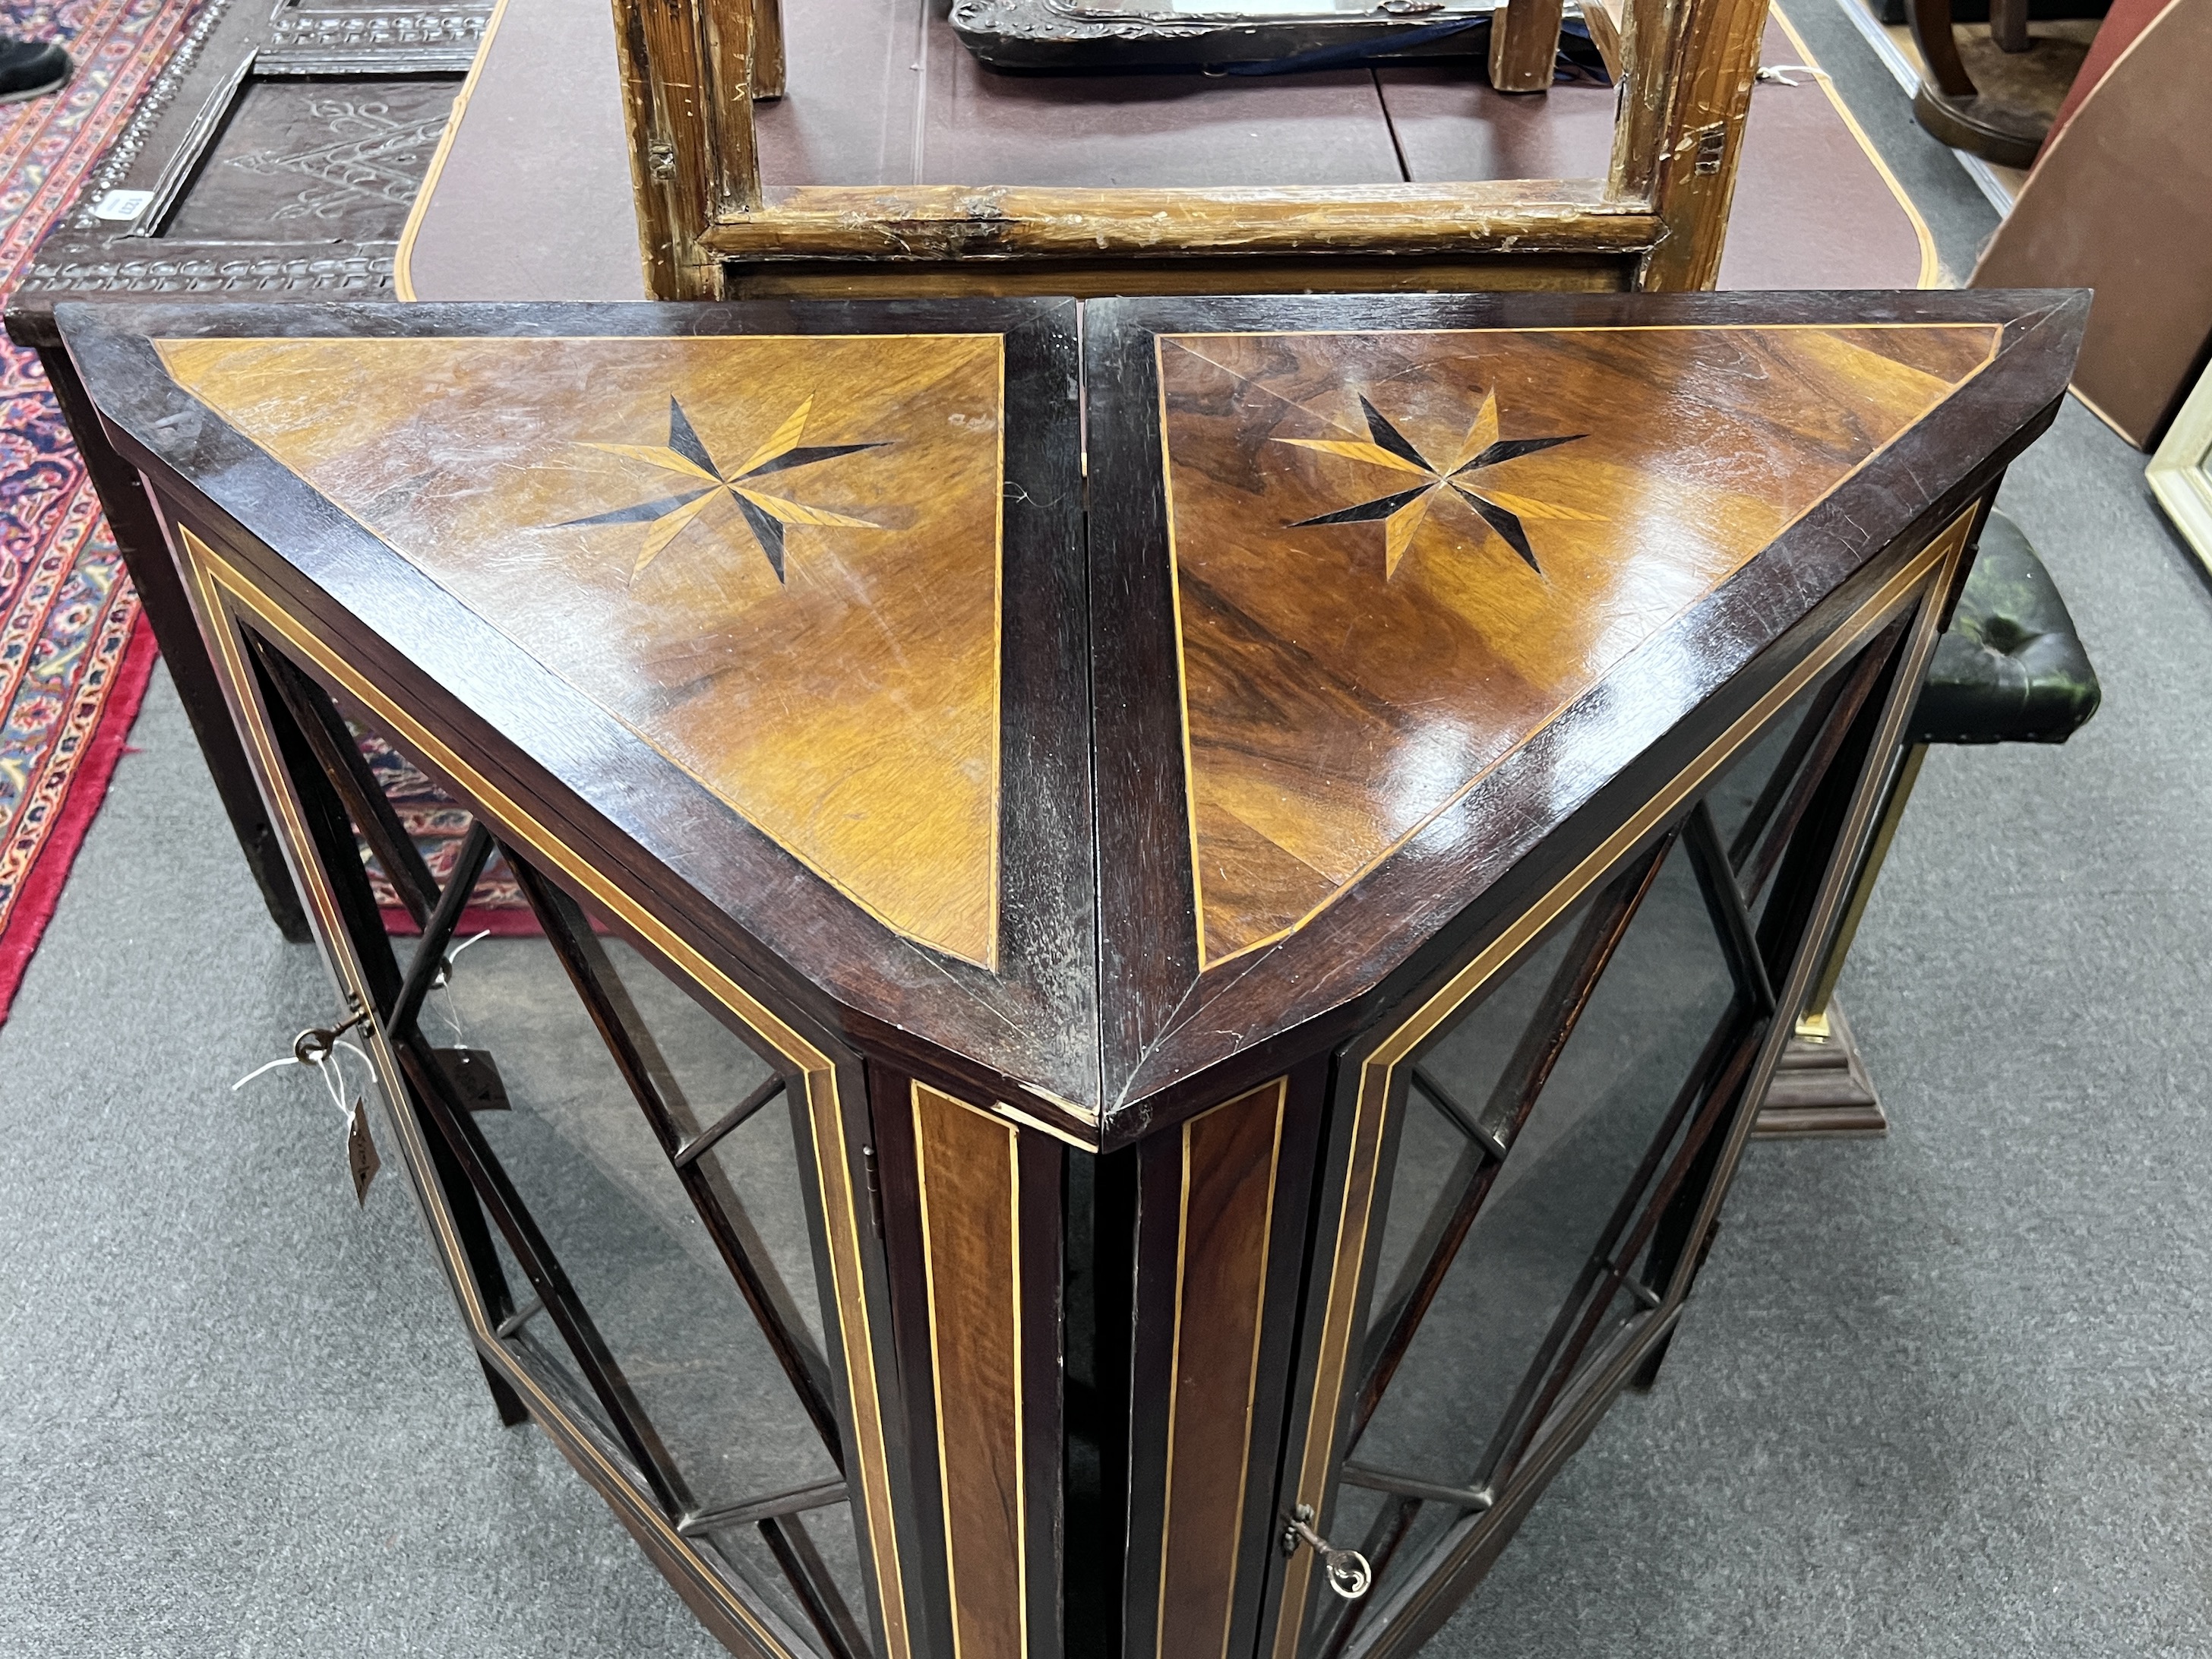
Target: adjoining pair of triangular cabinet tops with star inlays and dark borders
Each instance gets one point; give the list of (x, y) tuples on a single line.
[(1087, 698)]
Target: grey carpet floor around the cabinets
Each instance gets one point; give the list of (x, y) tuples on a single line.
[(1939, 1395)]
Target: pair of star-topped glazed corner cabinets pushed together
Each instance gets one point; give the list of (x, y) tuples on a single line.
[(1131, 941)]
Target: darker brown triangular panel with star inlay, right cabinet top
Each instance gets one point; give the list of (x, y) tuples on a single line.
[(1401, 554)]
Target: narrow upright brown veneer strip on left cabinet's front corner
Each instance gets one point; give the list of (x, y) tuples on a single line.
[(970, 1207)]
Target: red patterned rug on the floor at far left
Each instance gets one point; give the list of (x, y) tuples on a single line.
[(74, 658)]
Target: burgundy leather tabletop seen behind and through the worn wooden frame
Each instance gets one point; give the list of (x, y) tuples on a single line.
[(904, 103)]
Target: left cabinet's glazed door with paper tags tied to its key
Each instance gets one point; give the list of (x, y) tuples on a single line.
[(640, 1176)]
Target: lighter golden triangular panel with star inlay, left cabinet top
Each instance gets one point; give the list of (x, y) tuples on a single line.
[(775, 559)]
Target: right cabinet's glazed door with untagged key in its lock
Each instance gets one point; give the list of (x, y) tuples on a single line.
[(1527, 1158)]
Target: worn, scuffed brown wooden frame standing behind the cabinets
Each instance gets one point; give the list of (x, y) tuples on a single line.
[(709, 229)]
